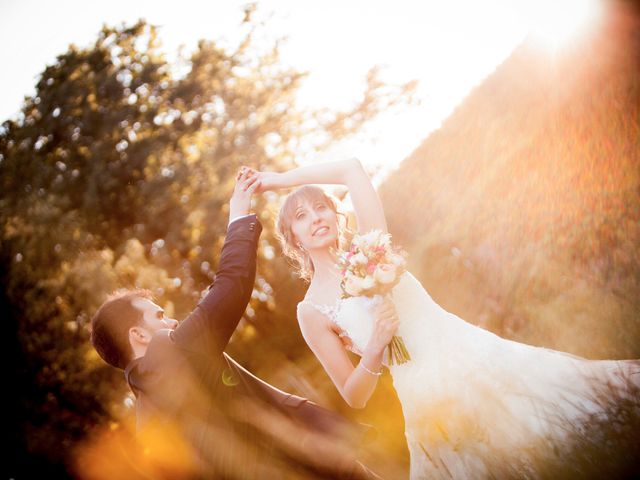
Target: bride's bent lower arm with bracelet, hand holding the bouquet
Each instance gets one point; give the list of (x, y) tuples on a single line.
[(355, 384)]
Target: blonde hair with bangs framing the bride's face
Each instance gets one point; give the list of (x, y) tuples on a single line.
[(290, 247)]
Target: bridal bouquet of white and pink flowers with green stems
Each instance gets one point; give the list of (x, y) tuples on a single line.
[(372, 266)]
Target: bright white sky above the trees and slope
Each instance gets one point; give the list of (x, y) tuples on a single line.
[(449, 46)]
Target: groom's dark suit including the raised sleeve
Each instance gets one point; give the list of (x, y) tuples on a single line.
[(236, 424)]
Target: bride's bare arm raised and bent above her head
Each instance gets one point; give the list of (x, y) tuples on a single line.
[(366, 203)]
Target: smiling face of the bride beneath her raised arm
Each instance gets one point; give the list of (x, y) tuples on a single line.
[(315, 225)]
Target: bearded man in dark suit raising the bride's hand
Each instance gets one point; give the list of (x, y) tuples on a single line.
[(222, 421)]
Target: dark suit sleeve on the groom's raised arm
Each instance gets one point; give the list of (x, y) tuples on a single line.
[(209, 327)]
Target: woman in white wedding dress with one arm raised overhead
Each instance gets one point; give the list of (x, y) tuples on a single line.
[(475, 405)]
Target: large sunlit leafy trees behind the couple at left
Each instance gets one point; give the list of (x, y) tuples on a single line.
[(118, 174)]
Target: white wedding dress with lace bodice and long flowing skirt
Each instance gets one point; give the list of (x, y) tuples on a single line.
[(472, 400)]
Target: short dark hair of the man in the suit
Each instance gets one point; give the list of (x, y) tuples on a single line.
[(111, 323)]
